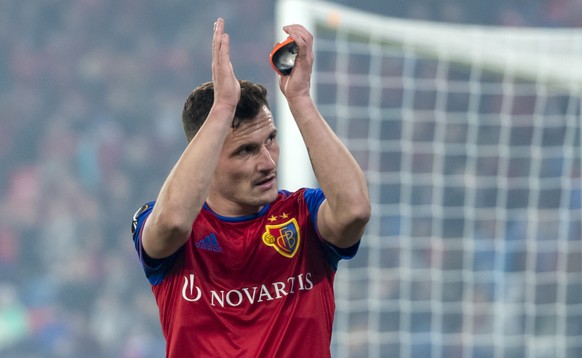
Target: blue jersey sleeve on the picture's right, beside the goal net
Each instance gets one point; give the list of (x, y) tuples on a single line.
[(313, 199)]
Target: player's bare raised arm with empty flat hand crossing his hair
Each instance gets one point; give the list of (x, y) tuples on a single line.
[(184, 191)]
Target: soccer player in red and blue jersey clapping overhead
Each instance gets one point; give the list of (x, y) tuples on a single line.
[(238, 267)]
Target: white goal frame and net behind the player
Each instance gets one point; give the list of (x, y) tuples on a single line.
[(471, 142)]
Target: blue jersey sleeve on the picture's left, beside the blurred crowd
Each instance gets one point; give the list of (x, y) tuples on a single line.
[(155, 269)]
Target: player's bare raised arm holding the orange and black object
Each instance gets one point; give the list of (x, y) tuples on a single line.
[(342, 217)]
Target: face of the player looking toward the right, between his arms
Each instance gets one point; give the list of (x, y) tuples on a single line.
[(246, 175)]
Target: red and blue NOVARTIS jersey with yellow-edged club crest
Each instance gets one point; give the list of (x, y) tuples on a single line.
[(253, 286)]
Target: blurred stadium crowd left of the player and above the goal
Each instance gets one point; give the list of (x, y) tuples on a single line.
[(90, 100)]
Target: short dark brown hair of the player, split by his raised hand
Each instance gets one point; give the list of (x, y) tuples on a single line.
[(253, 96)]
